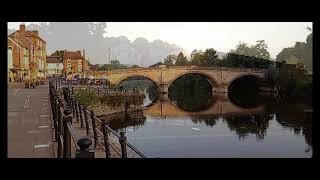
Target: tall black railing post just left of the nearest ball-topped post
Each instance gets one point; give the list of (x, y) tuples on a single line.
[(66, 134)]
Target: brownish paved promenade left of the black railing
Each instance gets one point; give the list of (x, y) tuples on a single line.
[(29, 126)]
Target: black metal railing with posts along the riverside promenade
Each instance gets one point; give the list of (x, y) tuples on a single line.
[(102, 135)]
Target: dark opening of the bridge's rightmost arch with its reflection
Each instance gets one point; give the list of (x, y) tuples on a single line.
[(243, 91)]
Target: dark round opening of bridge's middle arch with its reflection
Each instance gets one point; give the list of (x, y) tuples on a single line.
[(191, 92)]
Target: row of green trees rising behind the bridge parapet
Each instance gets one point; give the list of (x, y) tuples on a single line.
[(246, 56)]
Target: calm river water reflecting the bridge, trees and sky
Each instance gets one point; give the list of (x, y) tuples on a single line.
[(199, 123)]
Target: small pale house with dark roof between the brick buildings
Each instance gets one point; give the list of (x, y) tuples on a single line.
[(54, 65)]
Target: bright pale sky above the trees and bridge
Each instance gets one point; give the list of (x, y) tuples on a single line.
[(222, 36)]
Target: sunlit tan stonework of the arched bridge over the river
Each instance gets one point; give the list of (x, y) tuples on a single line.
[(219, 78)]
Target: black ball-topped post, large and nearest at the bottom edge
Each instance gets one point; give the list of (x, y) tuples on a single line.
[(85, 151)]
